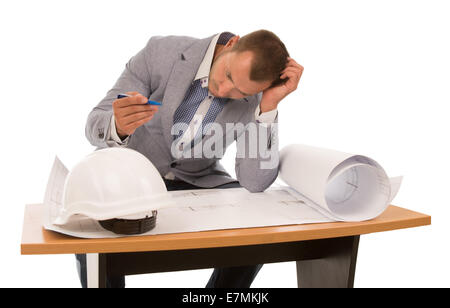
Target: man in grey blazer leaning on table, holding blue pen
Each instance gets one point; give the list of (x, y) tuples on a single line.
[(204, 85)]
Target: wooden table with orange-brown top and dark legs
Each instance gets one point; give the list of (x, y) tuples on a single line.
[(325, 253)]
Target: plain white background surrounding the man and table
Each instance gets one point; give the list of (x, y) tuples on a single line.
[(376, 83)]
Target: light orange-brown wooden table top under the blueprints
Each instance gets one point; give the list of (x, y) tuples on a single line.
[(37, 240)]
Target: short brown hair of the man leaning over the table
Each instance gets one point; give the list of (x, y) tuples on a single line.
[(270, 55)]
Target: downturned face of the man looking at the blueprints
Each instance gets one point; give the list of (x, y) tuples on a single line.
[(230, 76)]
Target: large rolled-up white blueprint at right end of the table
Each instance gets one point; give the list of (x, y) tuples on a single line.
[(340, 185)]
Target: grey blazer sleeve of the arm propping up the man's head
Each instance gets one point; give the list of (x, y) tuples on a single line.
[(257, 157)]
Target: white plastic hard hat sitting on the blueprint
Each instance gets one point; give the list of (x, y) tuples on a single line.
[(113, 183)]
